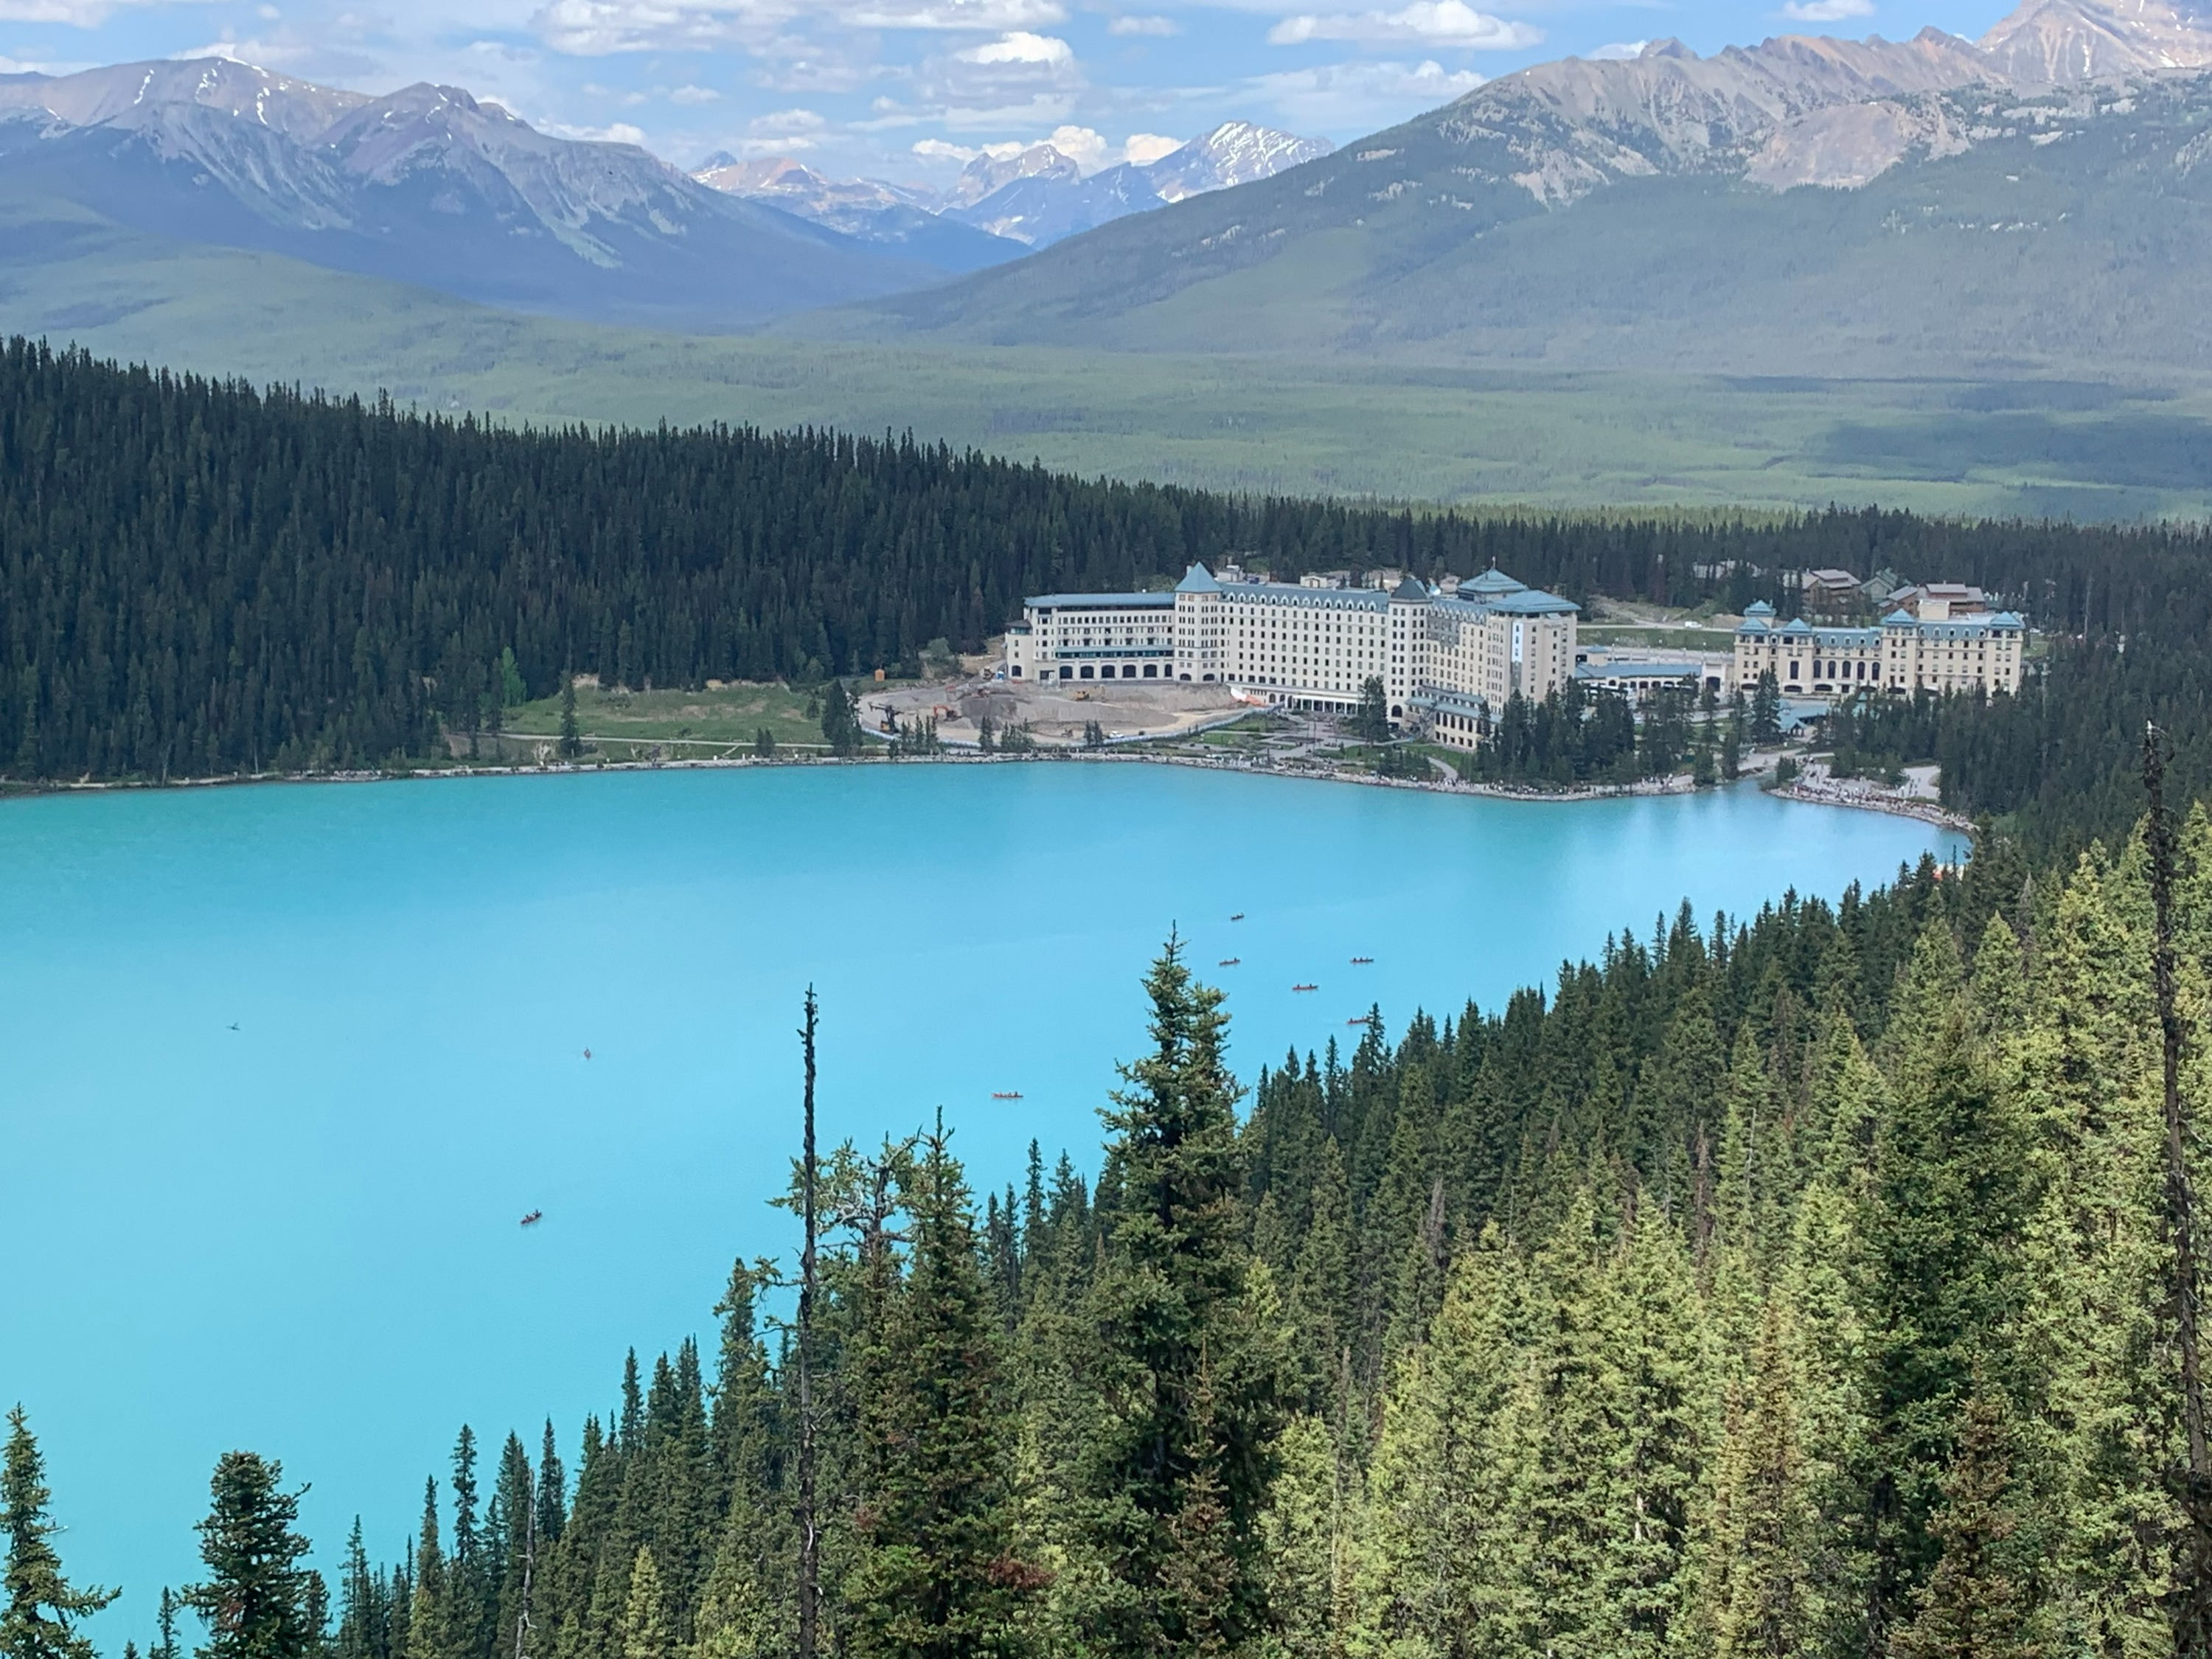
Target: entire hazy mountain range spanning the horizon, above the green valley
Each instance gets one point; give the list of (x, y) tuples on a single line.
[(2032, 205)]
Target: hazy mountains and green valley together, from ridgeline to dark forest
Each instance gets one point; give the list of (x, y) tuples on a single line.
[(1959, 275)]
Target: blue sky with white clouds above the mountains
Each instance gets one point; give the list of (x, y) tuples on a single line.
[(908, 90)]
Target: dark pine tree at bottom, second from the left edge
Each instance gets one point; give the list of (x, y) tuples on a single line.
[(258, 1596)]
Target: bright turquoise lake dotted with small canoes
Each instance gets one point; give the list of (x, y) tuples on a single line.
[(286, 1065)]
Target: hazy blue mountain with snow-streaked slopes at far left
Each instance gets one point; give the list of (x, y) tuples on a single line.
[(428, 187)]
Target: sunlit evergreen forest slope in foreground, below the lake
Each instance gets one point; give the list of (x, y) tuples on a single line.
[(1795, 1286)]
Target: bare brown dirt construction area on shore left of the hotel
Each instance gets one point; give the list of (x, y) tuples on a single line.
[(1056, 716)]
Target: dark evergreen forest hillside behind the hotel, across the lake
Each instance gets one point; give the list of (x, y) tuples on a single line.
[(200, 578)]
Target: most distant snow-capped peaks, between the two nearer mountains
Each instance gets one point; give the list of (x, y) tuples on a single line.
[(1027, 200)]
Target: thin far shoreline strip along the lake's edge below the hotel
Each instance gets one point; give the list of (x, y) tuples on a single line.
[(1645, 789)]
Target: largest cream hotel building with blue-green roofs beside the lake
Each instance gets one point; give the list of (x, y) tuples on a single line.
[(1446, 656)]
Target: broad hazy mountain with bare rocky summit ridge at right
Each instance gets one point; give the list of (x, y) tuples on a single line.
[(1795, 207)]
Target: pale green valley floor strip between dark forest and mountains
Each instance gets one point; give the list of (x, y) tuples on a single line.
[(1244, 424)]
